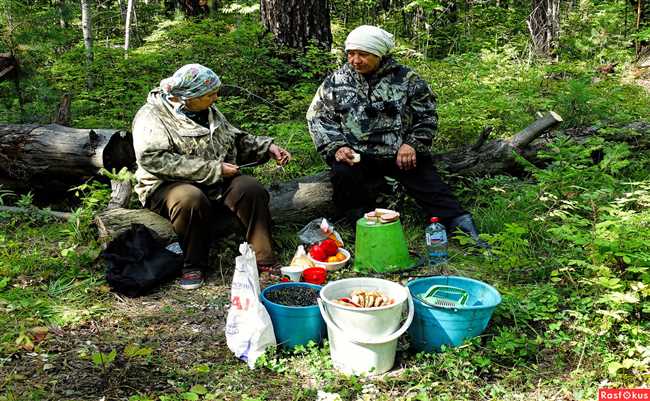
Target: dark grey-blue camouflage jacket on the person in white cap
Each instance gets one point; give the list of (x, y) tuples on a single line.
[(373, 115)]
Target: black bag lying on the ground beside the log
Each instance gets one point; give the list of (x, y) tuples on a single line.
[(137, 263)]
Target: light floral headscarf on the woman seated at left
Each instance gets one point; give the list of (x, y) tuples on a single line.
[(190, 81)]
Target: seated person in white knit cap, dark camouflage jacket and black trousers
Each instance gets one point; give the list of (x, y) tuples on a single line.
[(374, 118)]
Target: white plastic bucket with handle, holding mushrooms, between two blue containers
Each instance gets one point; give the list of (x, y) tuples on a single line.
[(366, 351)]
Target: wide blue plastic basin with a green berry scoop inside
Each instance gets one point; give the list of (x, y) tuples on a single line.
[(434, 326)]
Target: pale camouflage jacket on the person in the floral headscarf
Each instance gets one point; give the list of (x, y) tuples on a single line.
[(169, 146)]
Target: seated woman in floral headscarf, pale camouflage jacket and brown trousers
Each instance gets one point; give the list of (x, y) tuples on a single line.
[(188, 156)]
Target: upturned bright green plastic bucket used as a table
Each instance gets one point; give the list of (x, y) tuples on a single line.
[(381, 247)]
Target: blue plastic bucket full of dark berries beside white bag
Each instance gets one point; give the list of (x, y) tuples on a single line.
[(294, 325)]
